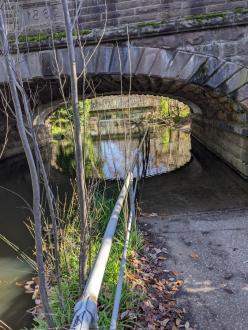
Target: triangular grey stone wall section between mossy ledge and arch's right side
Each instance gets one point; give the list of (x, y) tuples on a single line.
[(229, 43)]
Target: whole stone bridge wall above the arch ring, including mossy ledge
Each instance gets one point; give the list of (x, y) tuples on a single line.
[(208, 27)]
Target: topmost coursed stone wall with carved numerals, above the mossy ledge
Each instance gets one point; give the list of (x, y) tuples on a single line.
[(37, 15)]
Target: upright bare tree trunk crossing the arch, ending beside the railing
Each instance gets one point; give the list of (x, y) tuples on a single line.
[(81, 185)]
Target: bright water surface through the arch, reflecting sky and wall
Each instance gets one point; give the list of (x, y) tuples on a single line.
[(169, 149)]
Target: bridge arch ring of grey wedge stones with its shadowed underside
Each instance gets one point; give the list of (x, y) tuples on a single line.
[(216, 90)]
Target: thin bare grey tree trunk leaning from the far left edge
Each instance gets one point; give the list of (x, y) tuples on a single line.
[(32, 169)]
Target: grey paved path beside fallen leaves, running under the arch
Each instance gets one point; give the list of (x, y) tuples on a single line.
[(203, 217)]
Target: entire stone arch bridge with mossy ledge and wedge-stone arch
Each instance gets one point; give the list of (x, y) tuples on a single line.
[(191, 52)]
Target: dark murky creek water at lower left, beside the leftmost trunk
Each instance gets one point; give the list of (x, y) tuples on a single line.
[(13, 302)]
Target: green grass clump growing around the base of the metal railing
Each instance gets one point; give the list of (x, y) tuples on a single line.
[(100, 211)]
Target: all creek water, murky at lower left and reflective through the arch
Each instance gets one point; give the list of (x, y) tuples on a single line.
[(109, 158)]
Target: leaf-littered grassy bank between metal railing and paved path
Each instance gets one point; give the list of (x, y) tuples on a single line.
[(150, 290)]
